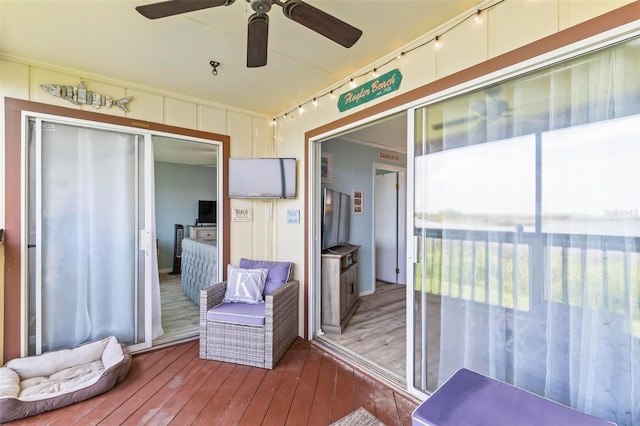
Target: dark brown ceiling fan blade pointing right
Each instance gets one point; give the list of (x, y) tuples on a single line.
[(321, 22)]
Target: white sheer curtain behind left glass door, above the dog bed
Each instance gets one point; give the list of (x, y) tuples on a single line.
[(89, 238)]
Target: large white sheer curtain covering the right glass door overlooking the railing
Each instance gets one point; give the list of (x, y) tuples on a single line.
[(534, 214)]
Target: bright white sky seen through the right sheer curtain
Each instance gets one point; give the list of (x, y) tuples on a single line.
[(589, 170)]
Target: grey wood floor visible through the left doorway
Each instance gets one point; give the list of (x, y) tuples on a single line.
[(180, 316)]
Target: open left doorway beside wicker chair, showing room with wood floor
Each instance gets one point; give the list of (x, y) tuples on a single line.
[(186, 172)]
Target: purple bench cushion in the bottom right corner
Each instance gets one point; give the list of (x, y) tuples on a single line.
[(469, 398)]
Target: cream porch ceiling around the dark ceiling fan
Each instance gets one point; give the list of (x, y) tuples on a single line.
[(109, 38)]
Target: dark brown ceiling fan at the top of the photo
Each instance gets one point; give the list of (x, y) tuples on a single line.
[(258, 32)]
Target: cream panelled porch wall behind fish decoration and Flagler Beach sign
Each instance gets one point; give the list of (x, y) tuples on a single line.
[(509, 25)]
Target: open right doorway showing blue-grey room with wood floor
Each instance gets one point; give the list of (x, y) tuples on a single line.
[(375, 336)]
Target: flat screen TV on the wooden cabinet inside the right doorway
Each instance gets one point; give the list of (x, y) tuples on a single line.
[(336, 214)]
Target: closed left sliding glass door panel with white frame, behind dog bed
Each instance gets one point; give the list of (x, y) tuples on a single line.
[(90, 236)]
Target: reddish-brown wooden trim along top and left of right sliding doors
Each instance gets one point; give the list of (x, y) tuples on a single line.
[(608, 21)]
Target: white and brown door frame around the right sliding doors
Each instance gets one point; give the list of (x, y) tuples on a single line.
[(586, 36)]
